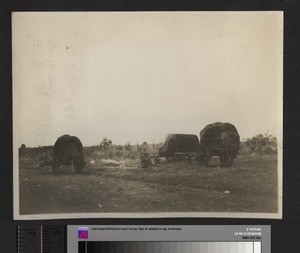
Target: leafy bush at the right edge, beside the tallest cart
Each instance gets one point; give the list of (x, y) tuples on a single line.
[(262, 144)]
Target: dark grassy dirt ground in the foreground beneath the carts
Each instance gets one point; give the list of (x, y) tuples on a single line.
[(250, 185)]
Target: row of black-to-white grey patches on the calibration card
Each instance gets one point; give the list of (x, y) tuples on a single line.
[(168, 247)]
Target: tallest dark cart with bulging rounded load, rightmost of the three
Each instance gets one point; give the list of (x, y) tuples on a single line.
[(219, 139)]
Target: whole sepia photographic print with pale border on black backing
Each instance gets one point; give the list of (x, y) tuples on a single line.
[(147, 114)]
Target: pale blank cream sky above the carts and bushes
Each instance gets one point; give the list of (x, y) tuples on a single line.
[(137, 76)]
